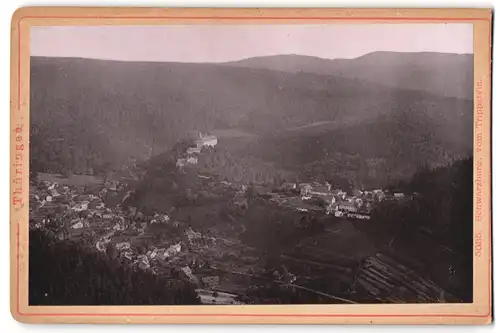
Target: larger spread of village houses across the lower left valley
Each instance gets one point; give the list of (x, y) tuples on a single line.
[(79, 213)]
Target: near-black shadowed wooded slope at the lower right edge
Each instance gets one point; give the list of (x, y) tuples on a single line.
[(440, 216)]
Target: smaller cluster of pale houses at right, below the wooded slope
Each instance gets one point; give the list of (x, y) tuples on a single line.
[(357, 204)]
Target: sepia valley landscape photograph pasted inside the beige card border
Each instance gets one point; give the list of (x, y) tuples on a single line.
[(251, 164)]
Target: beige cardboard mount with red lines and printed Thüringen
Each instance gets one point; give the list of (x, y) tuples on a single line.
[(479, 312)]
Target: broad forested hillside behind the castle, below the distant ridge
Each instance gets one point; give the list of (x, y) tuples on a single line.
[(92, 115)]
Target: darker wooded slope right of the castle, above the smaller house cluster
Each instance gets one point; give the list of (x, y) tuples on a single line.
[(375, 152)]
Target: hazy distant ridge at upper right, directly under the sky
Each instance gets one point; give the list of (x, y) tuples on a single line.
[(445, 74)]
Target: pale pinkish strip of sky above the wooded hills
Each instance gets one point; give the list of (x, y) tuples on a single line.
[(219, 43)]
